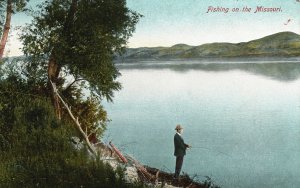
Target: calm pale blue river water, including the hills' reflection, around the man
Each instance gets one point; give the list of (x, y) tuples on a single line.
[(242, 119)]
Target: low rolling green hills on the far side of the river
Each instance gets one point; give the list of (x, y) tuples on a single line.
[(283, 44)]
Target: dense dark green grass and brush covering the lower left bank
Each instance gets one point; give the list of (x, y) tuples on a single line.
[(36, 148)]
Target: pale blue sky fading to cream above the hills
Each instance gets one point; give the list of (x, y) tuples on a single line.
[(170, 22)]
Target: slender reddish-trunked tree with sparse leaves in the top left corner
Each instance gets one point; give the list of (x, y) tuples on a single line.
[(9, 7)]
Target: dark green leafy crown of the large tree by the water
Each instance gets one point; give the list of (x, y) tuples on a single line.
[(82, 37)]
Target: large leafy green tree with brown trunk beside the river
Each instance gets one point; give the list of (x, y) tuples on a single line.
[(77, 39)]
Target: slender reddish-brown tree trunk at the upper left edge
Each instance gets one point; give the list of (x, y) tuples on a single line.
[(6, 27)]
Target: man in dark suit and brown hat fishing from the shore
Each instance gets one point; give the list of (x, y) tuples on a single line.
[(180, 148)]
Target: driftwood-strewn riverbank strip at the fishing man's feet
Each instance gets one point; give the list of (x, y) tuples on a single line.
[(137, 172)]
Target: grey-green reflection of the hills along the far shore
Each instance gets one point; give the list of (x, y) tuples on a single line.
[(278, 70)]
